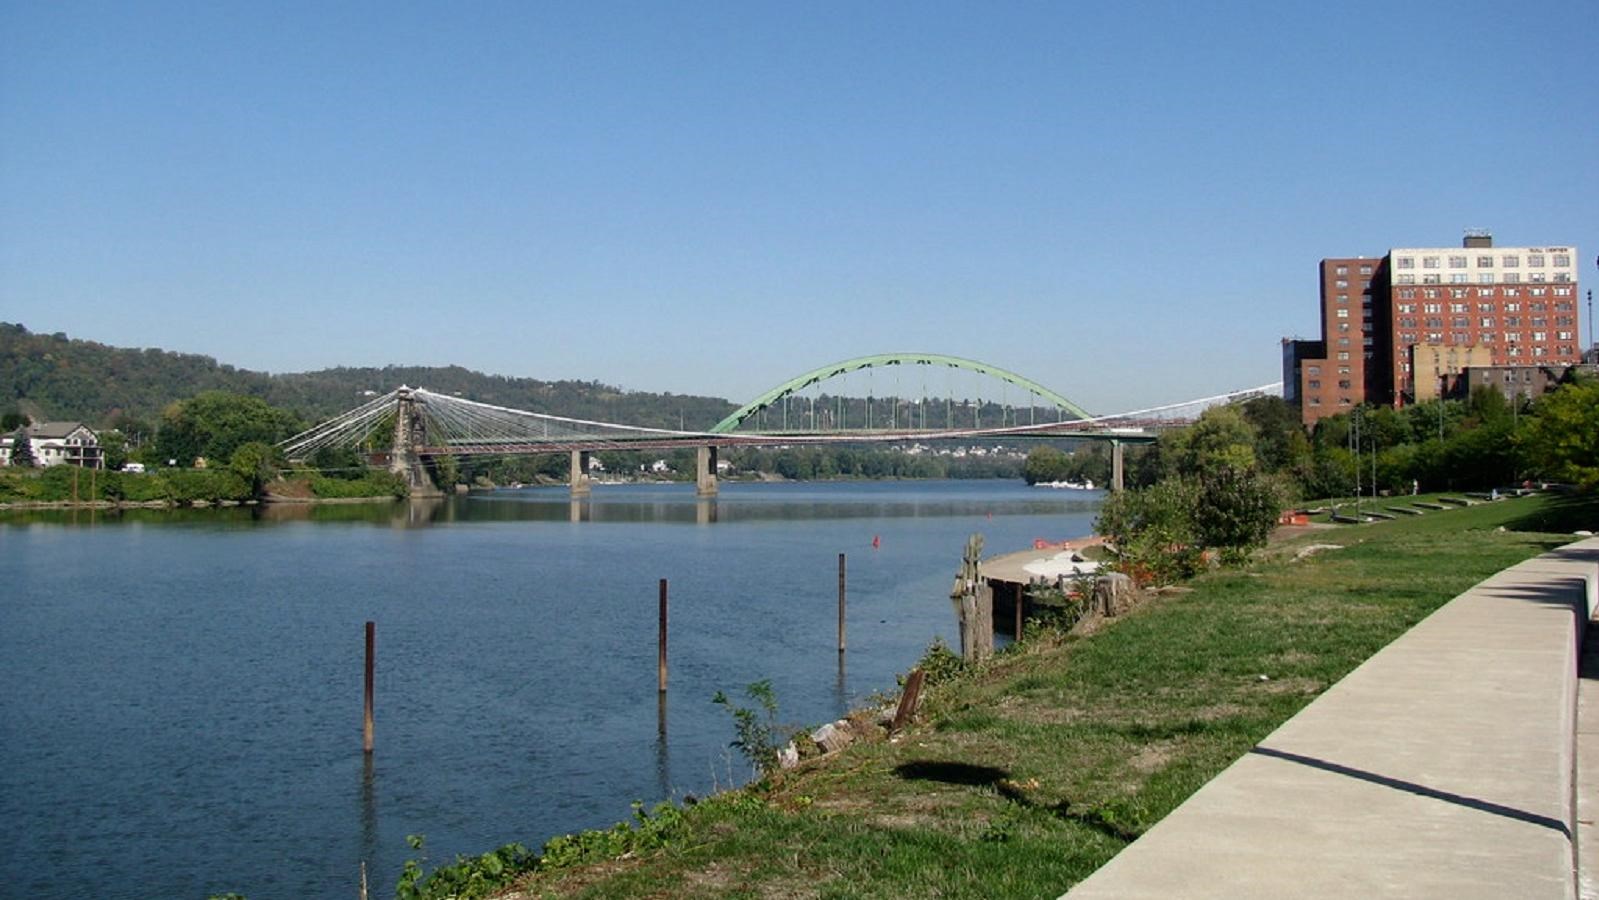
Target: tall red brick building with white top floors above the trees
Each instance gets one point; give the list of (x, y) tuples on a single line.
[(1405, 327)]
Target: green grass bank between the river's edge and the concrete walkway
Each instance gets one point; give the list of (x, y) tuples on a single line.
[(1027, 776)]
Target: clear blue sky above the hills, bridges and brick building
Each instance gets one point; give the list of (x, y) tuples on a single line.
[(1125, 202)]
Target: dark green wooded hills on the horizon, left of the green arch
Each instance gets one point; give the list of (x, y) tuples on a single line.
[(52, 378)]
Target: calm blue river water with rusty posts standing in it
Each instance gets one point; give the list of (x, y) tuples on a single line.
[(181, 707)]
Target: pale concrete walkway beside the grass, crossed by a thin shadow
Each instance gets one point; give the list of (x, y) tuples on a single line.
[(1445, 767)]
